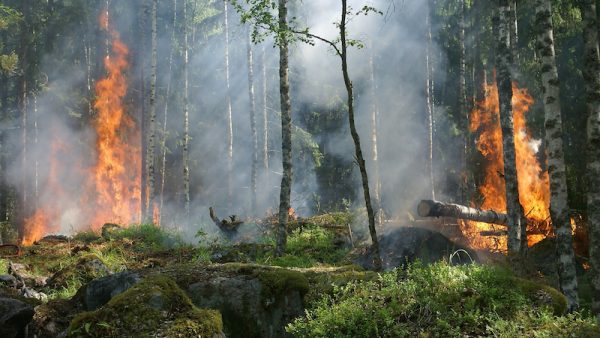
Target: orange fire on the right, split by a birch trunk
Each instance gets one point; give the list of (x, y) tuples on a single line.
[(534, 191)]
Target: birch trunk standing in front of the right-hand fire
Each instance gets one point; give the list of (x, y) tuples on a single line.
[(517, 241)]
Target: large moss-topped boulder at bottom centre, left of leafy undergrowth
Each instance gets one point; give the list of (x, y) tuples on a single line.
[(254, 300)]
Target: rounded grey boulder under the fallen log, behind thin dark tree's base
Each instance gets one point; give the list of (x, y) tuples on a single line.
[(402, 245)]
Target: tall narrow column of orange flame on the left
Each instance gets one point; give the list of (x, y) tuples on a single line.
[(116, 175)]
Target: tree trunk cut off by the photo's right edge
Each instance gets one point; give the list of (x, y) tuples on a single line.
[(591, 74)]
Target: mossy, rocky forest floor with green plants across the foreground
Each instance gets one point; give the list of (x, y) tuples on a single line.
[(146, 281)]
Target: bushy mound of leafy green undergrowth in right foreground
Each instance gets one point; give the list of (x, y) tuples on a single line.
[(442, 301)]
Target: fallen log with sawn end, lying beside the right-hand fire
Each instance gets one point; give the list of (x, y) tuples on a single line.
[(430, 208)]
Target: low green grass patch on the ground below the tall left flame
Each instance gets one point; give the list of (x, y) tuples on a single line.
[(149, 237)]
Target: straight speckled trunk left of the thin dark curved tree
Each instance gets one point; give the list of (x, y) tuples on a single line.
[(286, 129)]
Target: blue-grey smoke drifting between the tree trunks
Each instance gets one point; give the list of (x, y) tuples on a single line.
[(395, 41)]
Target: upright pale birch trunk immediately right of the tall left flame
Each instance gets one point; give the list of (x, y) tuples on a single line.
[(150, 147)]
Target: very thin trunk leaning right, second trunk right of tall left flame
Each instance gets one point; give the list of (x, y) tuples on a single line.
[(163, 139)]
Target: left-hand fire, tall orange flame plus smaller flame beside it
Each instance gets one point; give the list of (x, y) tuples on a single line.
[(111, 192)]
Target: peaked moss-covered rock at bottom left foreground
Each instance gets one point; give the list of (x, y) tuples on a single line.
[(154, 307)]
